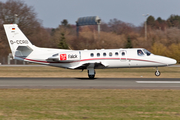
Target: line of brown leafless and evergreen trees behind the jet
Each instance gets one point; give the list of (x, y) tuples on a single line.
[(163, 36)]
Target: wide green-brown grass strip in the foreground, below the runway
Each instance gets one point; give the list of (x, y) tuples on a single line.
[(75, 104)]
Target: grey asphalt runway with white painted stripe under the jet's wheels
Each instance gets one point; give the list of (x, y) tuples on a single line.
[(85, 83)]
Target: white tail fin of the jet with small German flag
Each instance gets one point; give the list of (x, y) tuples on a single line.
[(18, 42)]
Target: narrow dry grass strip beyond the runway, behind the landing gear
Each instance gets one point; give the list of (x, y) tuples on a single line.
[(166, 72)]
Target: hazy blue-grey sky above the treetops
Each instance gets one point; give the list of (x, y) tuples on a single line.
[(52, 12)]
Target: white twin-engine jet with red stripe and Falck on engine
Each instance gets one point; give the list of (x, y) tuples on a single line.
[(22, 49)]
